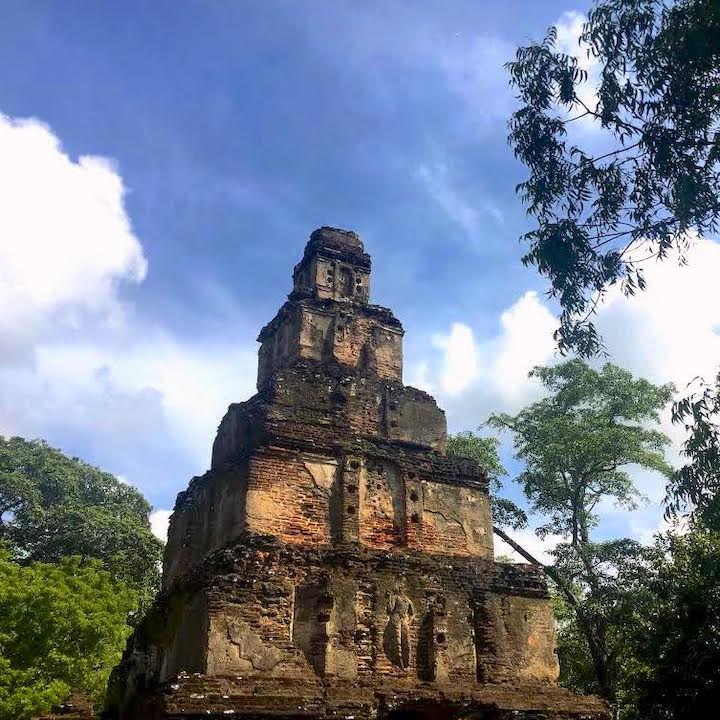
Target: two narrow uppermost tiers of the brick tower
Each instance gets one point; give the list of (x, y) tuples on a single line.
[(327, 317)]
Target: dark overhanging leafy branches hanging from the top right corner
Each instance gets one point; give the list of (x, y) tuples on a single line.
[(602, 214)]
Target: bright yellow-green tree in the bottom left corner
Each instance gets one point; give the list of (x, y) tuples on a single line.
[(62, 628)]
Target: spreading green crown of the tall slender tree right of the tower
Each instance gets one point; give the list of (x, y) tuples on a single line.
[(577, 443)]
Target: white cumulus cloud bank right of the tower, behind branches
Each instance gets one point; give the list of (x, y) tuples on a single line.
[(669, 333)]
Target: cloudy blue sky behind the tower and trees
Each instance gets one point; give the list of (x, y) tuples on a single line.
[(224, 132)]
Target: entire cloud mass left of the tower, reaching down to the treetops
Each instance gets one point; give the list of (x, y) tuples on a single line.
[(75, 367)]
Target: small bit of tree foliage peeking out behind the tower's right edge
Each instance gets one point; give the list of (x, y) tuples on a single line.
[(484, 451)]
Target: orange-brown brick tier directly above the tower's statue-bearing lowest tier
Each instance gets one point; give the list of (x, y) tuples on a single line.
[(301, 496)]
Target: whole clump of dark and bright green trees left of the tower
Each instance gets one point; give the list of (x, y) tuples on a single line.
[(78, 562)]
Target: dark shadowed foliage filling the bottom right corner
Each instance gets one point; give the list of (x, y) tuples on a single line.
[(659, 607)]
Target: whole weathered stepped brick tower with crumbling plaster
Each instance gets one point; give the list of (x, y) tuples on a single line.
[(334, 562)]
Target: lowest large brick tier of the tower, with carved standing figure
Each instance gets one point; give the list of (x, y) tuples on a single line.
[(357, 617)]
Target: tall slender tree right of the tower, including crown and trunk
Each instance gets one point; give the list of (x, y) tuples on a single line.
[(576, 445)]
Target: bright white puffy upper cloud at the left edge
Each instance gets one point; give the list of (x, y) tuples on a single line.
[(66, 240)]
